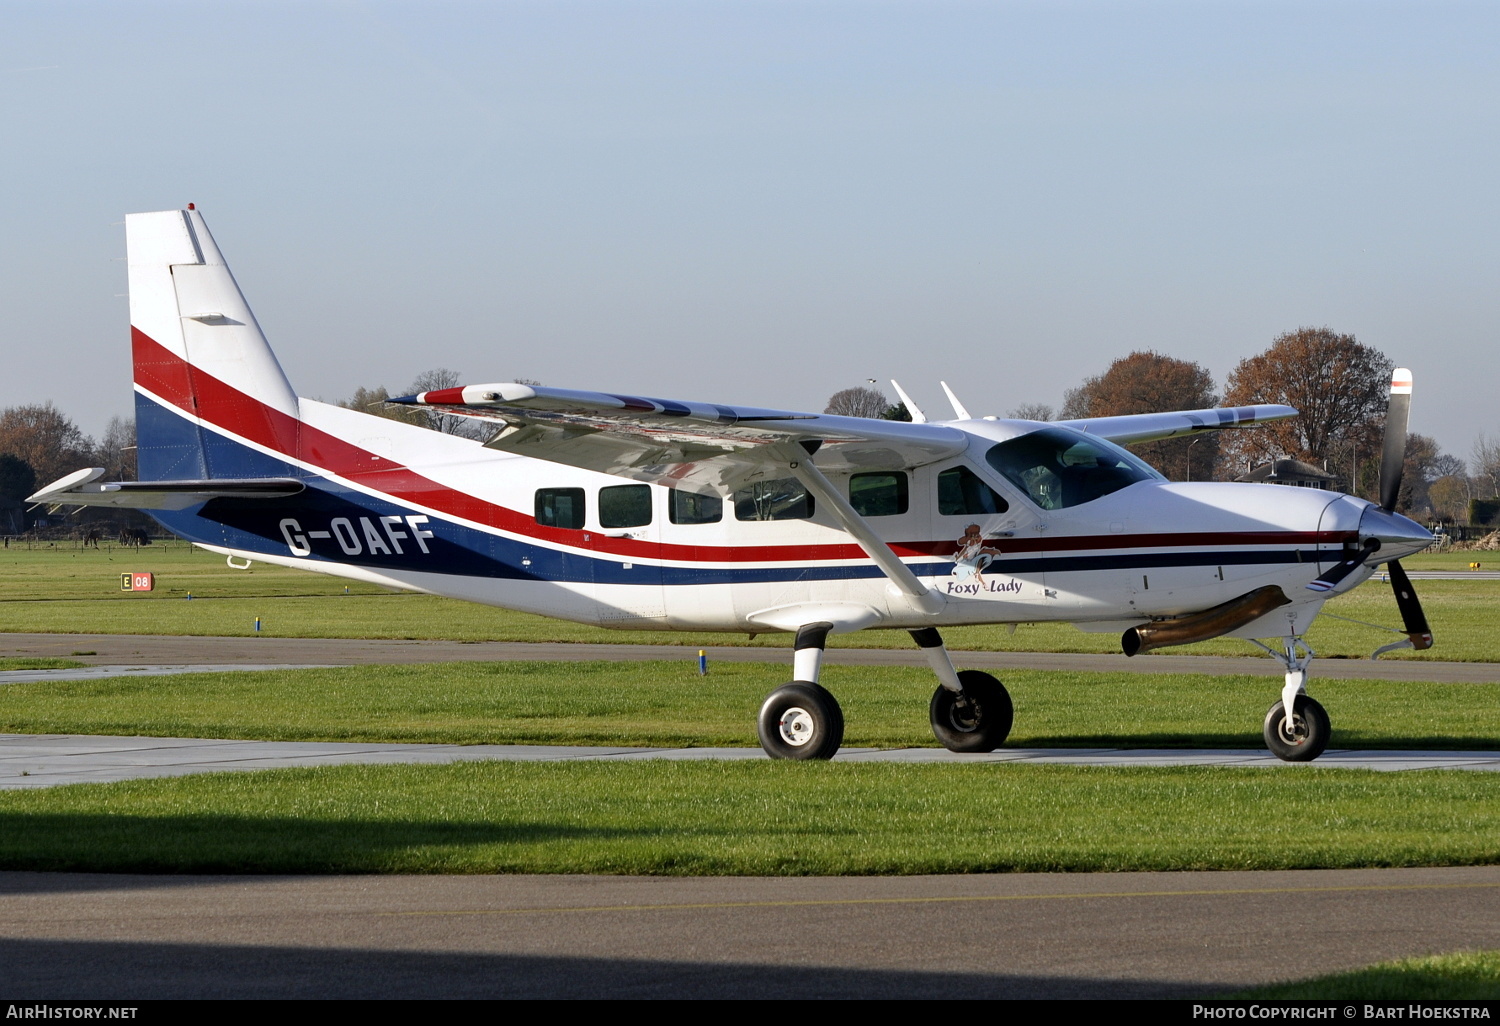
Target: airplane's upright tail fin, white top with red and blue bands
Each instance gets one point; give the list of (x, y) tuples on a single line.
[(205, 374)]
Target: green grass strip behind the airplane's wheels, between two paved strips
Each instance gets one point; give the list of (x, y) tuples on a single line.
[(670, 704)]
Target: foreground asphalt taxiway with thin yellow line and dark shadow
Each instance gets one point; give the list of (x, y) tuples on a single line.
[(1034, 935)]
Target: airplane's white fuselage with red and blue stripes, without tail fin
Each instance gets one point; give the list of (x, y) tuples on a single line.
[(416, 508)]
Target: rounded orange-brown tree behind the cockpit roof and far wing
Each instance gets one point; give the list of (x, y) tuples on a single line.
[(1154, 383)]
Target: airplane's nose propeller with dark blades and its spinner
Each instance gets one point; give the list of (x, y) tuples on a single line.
[(1382, 524)]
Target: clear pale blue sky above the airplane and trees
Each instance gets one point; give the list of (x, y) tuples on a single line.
[(764, 203)]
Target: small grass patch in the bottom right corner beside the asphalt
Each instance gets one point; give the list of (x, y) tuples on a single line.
[(1468, 976)]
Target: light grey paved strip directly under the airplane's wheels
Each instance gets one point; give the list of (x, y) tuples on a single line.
[(46, 761)]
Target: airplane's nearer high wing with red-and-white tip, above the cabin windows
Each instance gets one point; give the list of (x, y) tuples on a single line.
[(682, 443)]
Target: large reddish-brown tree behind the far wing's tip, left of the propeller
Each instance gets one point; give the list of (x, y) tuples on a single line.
[(1340, 389)]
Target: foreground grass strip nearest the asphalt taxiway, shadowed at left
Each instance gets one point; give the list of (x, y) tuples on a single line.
[(764, 818)]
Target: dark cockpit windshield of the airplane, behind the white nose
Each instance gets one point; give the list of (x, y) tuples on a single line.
[(1060, 467)]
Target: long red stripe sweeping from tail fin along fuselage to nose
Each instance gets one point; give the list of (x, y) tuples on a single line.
[(202, 395)]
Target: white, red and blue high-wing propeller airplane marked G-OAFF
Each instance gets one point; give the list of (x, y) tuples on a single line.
[(641, 514)]
